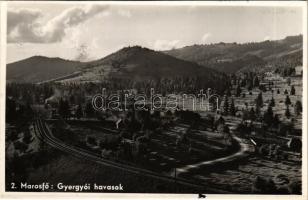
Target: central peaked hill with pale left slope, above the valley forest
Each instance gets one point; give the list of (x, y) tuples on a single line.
[(140, 63)]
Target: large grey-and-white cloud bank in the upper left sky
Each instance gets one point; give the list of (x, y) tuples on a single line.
[(25, 25)]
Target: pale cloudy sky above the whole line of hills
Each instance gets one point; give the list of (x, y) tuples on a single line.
[(87, 32)]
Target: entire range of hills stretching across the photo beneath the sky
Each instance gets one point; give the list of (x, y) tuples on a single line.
[(136, 62)]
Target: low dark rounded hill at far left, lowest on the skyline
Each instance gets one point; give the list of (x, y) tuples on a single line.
[(39, 68)]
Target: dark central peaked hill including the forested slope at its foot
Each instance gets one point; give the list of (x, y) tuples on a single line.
[(138, 67)]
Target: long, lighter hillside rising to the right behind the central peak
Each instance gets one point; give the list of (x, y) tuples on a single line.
[(233, 57)]
